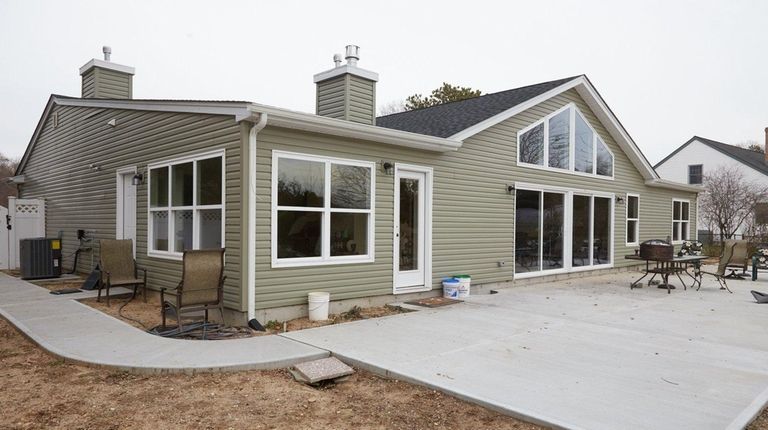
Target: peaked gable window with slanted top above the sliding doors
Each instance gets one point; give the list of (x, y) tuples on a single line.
[(564, 141)]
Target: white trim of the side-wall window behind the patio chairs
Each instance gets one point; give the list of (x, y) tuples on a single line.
[(174, 255)]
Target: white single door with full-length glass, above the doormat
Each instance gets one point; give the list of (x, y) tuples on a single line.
[(412, 229)]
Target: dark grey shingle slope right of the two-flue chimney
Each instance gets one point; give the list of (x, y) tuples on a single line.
[(447, 119)]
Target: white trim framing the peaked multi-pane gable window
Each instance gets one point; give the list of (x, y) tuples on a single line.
[(571, 146)]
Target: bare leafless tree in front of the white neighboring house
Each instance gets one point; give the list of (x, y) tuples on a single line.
[(729, 199)]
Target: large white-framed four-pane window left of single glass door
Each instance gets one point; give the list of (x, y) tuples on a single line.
[(322, 210)]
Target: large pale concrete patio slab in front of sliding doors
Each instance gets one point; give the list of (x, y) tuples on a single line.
[(581, 354)]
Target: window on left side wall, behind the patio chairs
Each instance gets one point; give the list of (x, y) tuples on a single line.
[(186, 204)]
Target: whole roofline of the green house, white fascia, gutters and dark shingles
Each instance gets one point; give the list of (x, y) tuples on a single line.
[(447, 135)]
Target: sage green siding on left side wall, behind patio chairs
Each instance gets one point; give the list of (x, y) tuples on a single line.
[(81, 197)]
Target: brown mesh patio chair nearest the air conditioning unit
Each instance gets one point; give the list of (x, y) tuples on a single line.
[(118, 267)]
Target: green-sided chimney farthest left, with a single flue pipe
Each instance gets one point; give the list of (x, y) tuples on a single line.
[(104, 79)]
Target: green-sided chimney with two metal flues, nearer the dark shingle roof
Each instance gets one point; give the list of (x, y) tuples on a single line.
[(347, 91)]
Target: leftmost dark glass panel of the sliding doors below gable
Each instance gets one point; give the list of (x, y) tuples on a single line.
[(527, 214)]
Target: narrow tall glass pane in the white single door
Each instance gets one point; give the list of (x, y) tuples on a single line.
[(409, 224)]
